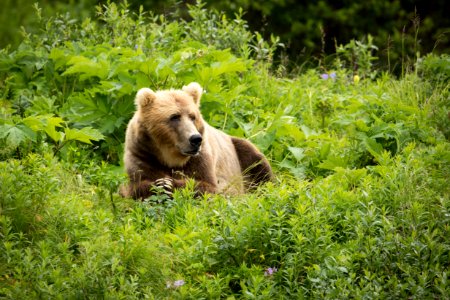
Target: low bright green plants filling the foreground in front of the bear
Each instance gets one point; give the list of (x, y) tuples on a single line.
[(374, 232)]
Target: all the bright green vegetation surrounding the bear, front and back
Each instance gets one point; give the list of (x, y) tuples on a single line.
[(360, 207)]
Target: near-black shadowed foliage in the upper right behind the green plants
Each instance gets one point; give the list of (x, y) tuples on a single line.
[(401, 29)]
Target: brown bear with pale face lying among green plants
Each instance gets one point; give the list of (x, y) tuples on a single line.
[(167, 142)]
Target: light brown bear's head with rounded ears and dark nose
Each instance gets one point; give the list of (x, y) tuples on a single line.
[(172, 119)]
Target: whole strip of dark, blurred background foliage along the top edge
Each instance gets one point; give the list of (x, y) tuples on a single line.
[(310, 30)]
